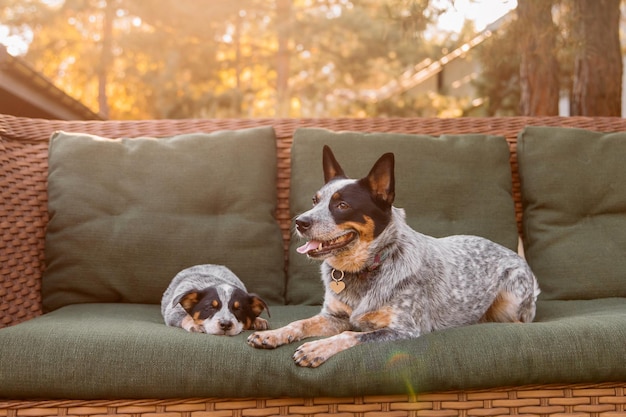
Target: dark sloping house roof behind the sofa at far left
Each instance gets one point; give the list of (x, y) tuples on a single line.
[(25, 92)]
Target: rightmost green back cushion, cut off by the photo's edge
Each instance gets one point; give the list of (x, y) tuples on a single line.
[(574, 199)]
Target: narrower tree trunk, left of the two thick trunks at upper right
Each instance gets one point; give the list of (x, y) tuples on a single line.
[(539, 68)]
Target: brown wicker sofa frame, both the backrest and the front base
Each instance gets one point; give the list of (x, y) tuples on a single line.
[(23, 218)]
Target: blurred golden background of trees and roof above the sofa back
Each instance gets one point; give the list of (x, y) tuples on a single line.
[(137, 59)]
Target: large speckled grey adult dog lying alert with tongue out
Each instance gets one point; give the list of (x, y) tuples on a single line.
[(385, 281)]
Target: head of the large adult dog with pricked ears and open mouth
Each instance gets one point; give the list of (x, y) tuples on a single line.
[(347, 214)]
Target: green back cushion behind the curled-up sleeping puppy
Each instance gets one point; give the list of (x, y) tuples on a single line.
[(127, 214)]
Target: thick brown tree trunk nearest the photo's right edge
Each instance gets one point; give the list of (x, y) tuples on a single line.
[(597, 84)]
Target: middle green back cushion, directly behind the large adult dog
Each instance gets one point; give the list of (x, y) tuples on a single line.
[(452, 184)]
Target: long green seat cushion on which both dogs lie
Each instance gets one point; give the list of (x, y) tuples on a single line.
[(105, 351)]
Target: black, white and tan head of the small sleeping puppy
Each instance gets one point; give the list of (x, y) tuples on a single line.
[(222, 310)]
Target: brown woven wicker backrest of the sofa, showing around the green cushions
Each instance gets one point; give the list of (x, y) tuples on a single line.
[(23, 158)]
